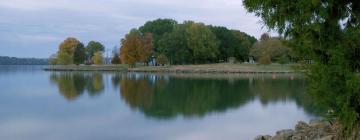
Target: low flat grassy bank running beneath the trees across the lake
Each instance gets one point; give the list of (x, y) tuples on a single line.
[(205, 68)]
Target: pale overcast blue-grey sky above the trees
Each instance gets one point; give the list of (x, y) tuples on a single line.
[(34, 28)]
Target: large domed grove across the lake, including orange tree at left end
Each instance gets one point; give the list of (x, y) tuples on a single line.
[(170, 42)]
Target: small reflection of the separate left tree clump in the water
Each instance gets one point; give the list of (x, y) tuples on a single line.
[(72, 84)]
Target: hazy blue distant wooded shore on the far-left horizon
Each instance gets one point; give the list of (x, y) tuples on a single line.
[(5, 60)]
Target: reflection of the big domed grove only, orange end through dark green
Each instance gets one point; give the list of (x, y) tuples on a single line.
[(163, 98)]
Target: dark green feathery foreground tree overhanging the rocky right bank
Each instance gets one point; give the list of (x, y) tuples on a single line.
[(326, 32)]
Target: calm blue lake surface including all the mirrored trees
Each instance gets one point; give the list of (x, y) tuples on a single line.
[(39, 105)]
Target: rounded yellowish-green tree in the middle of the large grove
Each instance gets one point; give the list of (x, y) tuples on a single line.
[(190, 42)]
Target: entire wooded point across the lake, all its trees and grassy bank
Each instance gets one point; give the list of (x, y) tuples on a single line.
[(164, 45)]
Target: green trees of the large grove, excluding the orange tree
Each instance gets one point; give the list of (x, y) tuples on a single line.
[(187, 42)]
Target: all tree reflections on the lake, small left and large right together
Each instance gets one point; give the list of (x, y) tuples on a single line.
[(169, 96)]
